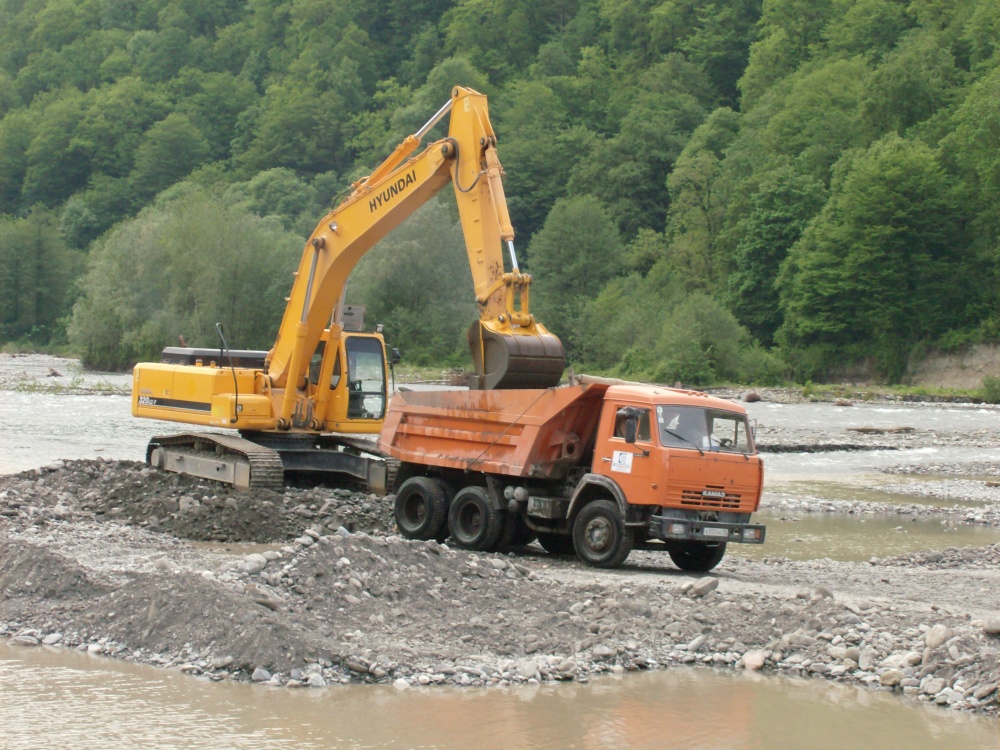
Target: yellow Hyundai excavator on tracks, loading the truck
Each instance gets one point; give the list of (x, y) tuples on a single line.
[(303, 405)]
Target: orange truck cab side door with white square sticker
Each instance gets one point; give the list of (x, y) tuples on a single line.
[(631, 465)]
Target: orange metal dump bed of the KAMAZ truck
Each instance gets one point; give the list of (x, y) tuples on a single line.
[(524, 433)]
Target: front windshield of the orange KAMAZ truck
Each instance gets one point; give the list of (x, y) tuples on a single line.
[(703, 429)]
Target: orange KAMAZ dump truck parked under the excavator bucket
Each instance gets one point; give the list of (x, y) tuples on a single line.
[(594, 467)]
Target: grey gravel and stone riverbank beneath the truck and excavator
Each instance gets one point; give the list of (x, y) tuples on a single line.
[(109, 557)]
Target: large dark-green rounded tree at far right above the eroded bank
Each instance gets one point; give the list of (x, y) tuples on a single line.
[(881, 267)]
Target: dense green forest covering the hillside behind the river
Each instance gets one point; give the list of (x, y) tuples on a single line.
[(745, 191)]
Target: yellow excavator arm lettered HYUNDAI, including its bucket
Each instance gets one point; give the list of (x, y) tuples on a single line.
[(510, 348)]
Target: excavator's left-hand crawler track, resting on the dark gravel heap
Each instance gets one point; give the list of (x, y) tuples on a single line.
[(223, 458)]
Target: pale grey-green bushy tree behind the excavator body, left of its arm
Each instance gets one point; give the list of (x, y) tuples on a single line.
[(176, 269)]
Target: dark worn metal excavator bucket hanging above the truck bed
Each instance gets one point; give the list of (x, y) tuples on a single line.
[(530, 358)]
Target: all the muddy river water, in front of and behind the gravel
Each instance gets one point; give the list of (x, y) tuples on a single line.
[(60, 698)]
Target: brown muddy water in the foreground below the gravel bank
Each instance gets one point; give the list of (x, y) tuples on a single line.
[(67, 699)]
